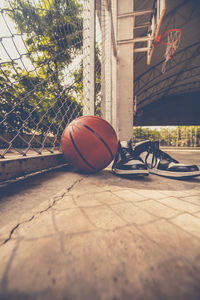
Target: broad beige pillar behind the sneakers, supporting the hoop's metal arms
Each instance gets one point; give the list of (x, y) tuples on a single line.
[(125, 71)]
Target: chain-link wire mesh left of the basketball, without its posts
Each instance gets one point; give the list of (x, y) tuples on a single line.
[(41, 73)]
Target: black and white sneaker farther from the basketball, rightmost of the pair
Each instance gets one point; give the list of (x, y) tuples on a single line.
[(160, 163)]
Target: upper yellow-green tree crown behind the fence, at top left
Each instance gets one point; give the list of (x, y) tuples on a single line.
[(54, 30)]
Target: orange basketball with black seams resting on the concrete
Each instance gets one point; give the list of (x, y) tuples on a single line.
[(89, 144)]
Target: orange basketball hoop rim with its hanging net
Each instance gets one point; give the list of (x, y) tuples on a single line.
[(171, 39)]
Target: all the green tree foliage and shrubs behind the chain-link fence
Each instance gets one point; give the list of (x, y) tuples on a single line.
[(38, 100)]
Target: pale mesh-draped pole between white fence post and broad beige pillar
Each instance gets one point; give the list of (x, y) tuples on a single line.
[(109, 61)]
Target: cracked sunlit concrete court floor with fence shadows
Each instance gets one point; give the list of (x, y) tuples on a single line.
[(100, 237)]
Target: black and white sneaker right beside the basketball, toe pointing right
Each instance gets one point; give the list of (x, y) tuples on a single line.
[(127, 162)]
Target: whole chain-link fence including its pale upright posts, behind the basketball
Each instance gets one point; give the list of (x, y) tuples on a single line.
[(57, 62)]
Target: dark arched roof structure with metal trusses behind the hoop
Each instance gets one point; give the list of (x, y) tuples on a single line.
[(172, 98)]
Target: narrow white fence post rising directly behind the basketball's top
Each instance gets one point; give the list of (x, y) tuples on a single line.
[(89, 57)]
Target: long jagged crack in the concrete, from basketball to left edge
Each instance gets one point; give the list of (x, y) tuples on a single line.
[(56, 199)]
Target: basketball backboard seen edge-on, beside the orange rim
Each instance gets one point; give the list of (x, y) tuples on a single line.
[(156, 21)]
